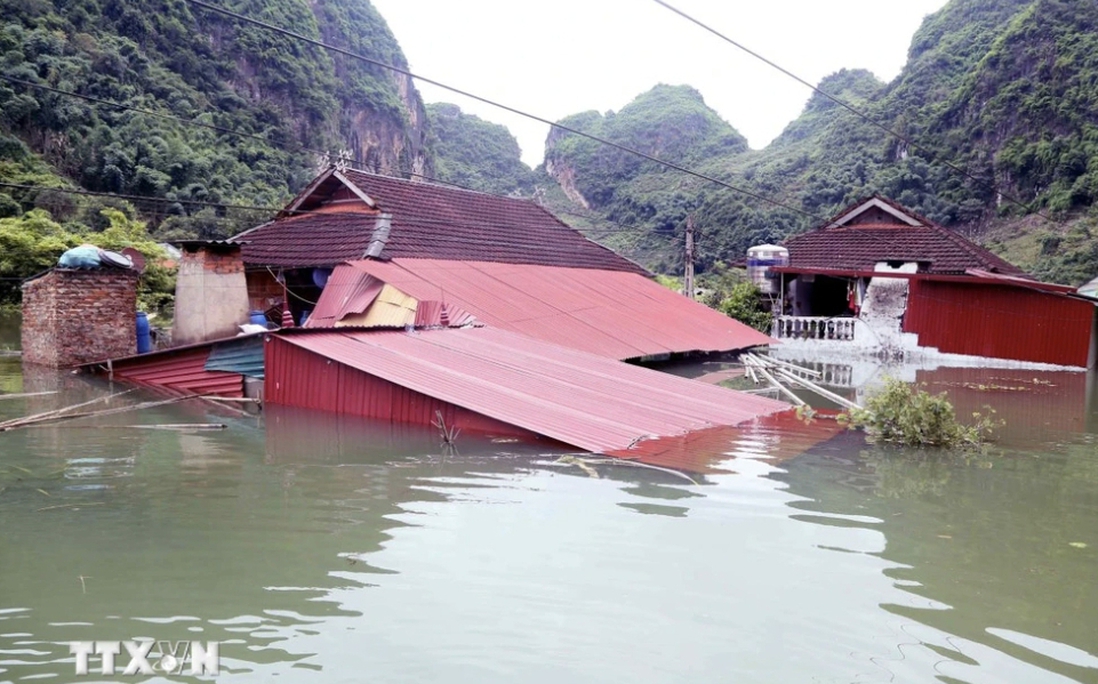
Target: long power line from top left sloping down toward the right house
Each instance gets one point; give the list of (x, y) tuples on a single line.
[(506, 108)]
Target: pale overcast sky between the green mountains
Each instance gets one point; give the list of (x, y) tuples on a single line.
[(558, 58)]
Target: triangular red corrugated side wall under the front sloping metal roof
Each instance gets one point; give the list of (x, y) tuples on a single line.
[(297, 377)]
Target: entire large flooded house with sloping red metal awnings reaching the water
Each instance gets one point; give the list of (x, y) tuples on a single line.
[(425, 305)]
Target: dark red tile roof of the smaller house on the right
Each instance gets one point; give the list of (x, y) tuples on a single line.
[(862, 246)]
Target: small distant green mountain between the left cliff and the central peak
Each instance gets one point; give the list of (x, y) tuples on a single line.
[(476, 154)]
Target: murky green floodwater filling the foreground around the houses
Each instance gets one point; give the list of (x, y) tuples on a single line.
[(320, 550)]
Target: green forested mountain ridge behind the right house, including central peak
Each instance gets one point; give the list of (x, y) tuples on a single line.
[(1006, 91)]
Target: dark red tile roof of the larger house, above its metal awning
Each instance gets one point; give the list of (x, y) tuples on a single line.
[(430, 221)]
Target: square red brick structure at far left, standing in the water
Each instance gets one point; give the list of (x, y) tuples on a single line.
[(76, 317)]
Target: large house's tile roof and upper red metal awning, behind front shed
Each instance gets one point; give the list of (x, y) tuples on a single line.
[(357, 249)]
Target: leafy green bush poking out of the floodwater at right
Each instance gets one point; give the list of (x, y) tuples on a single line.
[(907, 416)]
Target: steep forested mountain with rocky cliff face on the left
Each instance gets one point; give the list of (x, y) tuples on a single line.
[(292, 104)]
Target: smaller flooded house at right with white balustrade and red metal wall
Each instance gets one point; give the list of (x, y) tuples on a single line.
[(882, 279)]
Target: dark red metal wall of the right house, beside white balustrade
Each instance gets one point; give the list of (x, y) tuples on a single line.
[(1001, 322)]
